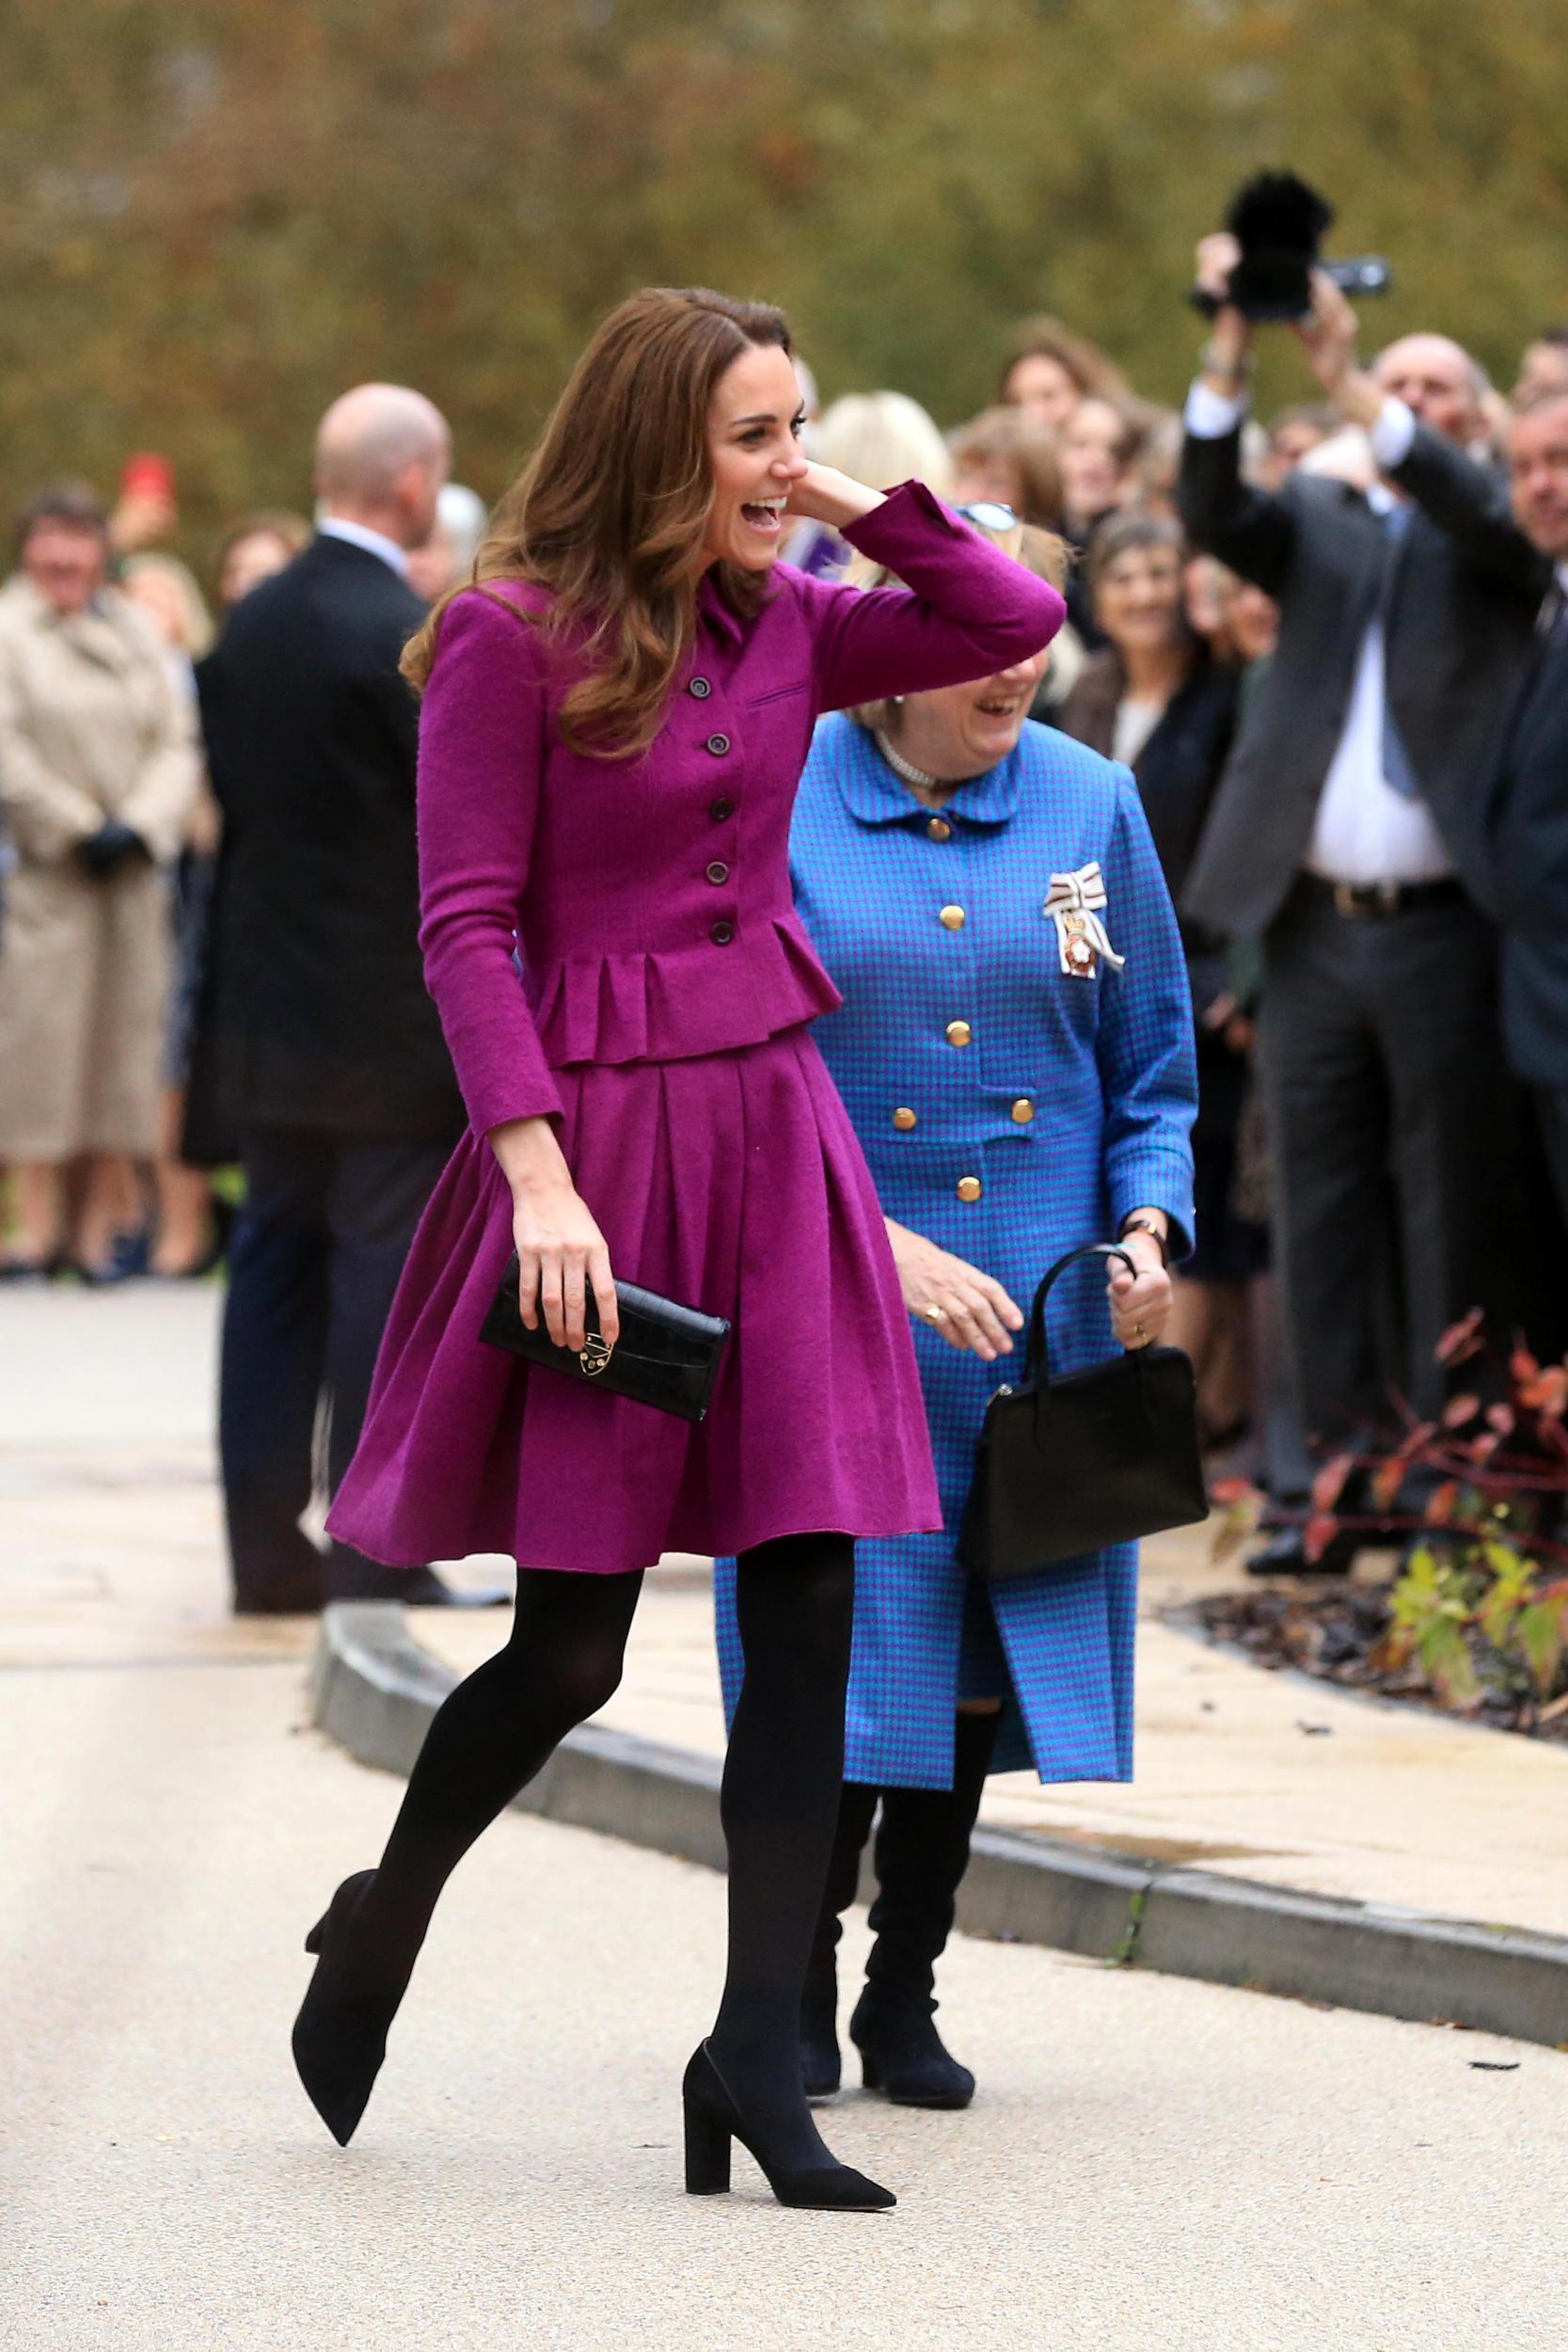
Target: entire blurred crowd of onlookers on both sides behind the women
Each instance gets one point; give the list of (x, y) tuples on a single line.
[(1311, 639)]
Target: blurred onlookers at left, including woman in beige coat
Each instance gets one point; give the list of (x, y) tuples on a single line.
[(109, 843)]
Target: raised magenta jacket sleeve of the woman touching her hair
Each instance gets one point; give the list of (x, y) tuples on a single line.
[(965, 610)]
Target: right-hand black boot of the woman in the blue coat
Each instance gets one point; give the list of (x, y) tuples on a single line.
[(923, 1852)]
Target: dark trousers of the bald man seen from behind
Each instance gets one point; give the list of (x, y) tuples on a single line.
[(311, 1274)]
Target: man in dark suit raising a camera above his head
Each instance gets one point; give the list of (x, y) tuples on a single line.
[(1351, 836)]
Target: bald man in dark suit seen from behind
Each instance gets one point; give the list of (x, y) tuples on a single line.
[(321, 1048)]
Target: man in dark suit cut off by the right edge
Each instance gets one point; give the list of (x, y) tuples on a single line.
[(1529, 803)]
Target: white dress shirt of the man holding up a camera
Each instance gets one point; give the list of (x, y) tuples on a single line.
[(1365, 831)]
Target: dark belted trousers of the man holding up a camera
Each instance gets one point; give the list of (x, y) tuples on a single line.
[(1388, 1121)]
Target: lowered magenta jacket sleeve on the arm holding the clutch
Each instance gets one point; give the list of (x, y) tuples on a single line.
[(481, 766)]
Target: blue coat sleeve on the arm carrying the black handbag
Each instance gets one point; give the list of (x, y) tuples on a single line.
[(1146, 1048)]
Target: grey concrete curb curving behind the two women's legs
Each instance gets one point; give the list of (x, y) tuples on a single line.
[(375, 1690)]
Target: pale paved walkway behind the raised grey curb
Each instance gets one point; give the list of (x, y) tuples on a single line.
[(112, 1549)]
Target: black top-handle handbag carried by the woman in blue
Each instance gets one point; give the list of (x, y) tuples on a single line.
[(1092, 1459)]
